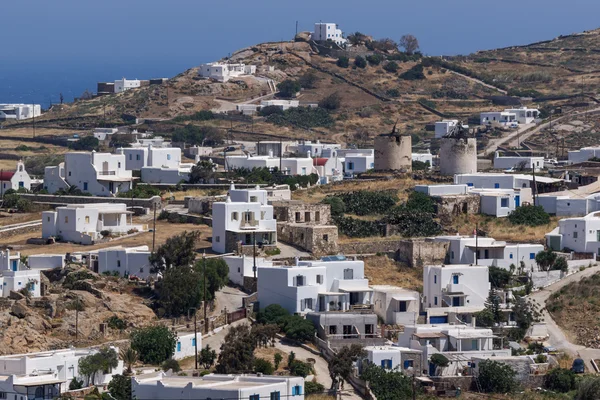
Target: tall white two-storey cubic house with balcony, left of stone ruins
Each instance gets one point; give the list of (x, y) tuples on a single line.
[(244, 218)]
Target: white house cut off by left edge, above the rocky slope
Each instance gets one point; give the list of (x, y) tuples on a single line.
[(15, 276)]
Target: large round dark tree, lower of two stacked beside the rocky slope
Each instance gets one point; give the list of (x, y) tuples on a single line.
[(179, 290)]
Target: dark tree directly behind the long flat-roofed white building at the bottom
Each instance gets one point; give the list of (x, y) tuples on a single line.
[(237, 351)]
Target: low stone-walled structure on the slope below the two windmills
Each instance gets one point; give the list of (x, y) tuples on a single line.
[(419, 252)]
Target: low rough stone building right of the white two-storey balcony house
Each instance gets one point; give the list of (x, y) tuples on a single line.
[(317, 239)]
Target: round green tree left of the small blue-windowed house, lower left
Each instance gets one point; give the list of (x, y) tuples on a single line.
[(154, 344)]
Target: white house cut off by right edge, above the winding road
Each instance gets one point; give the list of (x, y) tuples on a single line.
[(581, 234)]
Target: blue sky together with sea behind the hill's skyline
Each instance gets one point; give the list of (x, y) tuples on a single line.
[(52, 46)]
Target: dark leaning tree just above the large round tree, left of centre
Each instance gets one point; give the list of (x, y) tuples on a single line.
[(178, 251)]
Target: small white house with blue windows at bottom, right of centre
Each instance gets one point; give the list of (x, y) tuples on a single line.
[(394, 358)]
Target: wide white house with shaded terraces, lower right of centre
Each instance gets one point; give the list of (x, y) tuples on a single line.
[(459, 343)]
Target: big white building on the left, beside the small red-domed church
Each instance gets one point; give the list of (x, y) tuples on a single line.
[(101, 174)]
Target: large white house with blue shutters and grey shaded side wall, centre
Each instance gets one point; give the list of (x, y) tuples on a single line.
[(337, 285)]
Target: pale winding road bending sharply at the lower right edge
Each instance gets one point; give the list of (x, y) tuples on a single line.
[(558, 339)]
